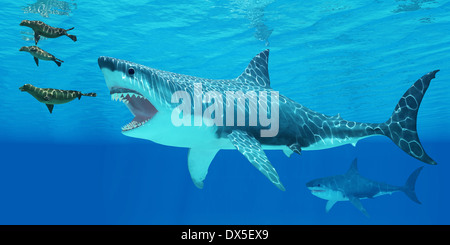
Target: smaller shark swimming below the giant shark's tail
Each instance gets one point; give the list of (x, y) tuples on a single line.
[(352, 187)]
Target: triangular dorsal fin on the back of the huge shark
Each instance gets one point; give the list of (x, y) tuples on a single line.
[(257, 72)]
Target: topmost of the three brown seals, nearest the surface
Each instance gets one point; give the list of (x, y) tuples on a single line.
[(42, 29)]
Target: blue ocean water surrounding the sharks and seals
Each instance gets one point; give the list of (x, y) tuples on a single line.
[(355, 58)]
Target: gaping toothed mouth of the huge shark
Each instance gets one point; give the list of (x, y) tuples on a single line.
[(138, 105)]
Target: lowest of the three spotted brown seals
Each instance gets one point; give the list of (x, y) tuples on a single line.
[(51, 97)]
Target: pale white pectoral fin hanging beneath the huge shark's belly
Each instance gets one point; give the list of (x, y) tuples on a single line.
[(198, 163)]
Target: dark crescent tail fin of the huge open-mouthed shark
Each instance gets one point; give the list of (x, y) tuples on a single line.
[(401, 128)]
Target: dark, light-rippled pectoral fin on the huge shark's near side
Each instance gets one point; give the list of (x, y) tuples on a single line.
[(251, 149)]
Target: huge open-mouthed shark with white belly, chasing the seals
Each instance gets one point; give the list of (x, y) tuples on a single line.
[(156, 99)]
